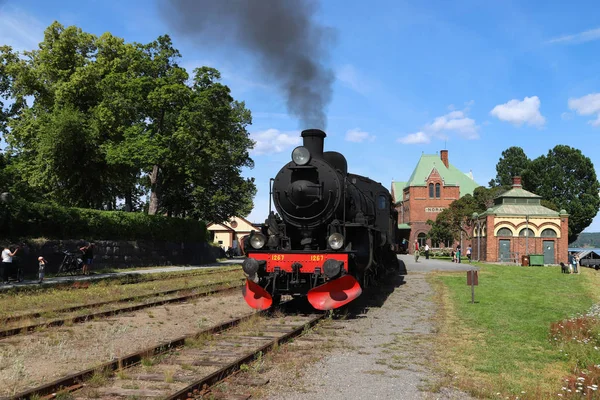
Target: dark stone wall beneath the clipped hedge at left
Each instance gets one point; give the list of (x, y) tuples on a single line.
[(117, 254)]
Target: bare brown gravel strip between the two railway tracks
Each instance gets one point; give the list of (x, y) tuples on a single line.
[(31, 360)]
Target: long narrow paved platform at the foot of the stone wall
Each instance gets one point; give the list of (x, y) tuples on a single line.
[(61, 280)]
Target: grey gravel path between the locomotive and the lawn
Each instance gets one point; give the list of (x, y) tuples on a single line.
[(387, 352)]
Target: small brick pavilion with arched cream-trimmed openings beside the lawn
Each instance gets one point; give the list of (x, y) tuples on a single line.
[(516, 225)]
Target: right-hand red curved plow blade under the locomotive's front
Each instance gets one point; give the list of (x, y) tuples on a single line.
[(335, 293)]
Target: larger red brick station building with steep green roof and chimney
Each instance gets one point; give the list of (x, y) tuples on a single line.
[(433, 185)]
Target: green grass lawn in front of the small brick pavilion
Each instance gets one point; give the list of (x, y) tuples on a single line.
[(502, 342)]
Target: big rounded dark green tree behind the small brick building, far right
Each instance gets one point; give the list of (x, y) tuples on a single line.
[(566, 178)]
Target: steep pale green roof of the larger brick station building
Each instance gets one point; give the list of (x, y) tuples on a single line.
[(451, 175)]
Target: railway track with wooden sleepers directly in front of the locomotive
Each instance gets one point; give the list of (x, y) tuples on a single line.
[(184, 367)]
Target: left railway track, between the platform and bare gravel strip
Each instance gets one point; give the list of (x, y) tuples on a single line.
[(204, 290)]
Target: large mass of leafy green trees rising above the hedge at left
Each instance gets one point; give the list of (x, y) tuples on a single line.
[(113, 120)]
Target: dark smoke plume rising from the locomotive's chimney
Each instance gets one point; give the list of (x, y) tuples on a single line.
[(291, 47)]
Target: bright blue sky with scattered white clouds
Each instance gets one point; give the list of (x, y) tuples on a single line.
[(411, 77)]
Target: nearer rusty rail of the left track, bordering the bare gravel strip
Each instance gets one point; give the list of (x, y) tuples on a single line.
[(100, 314)]
